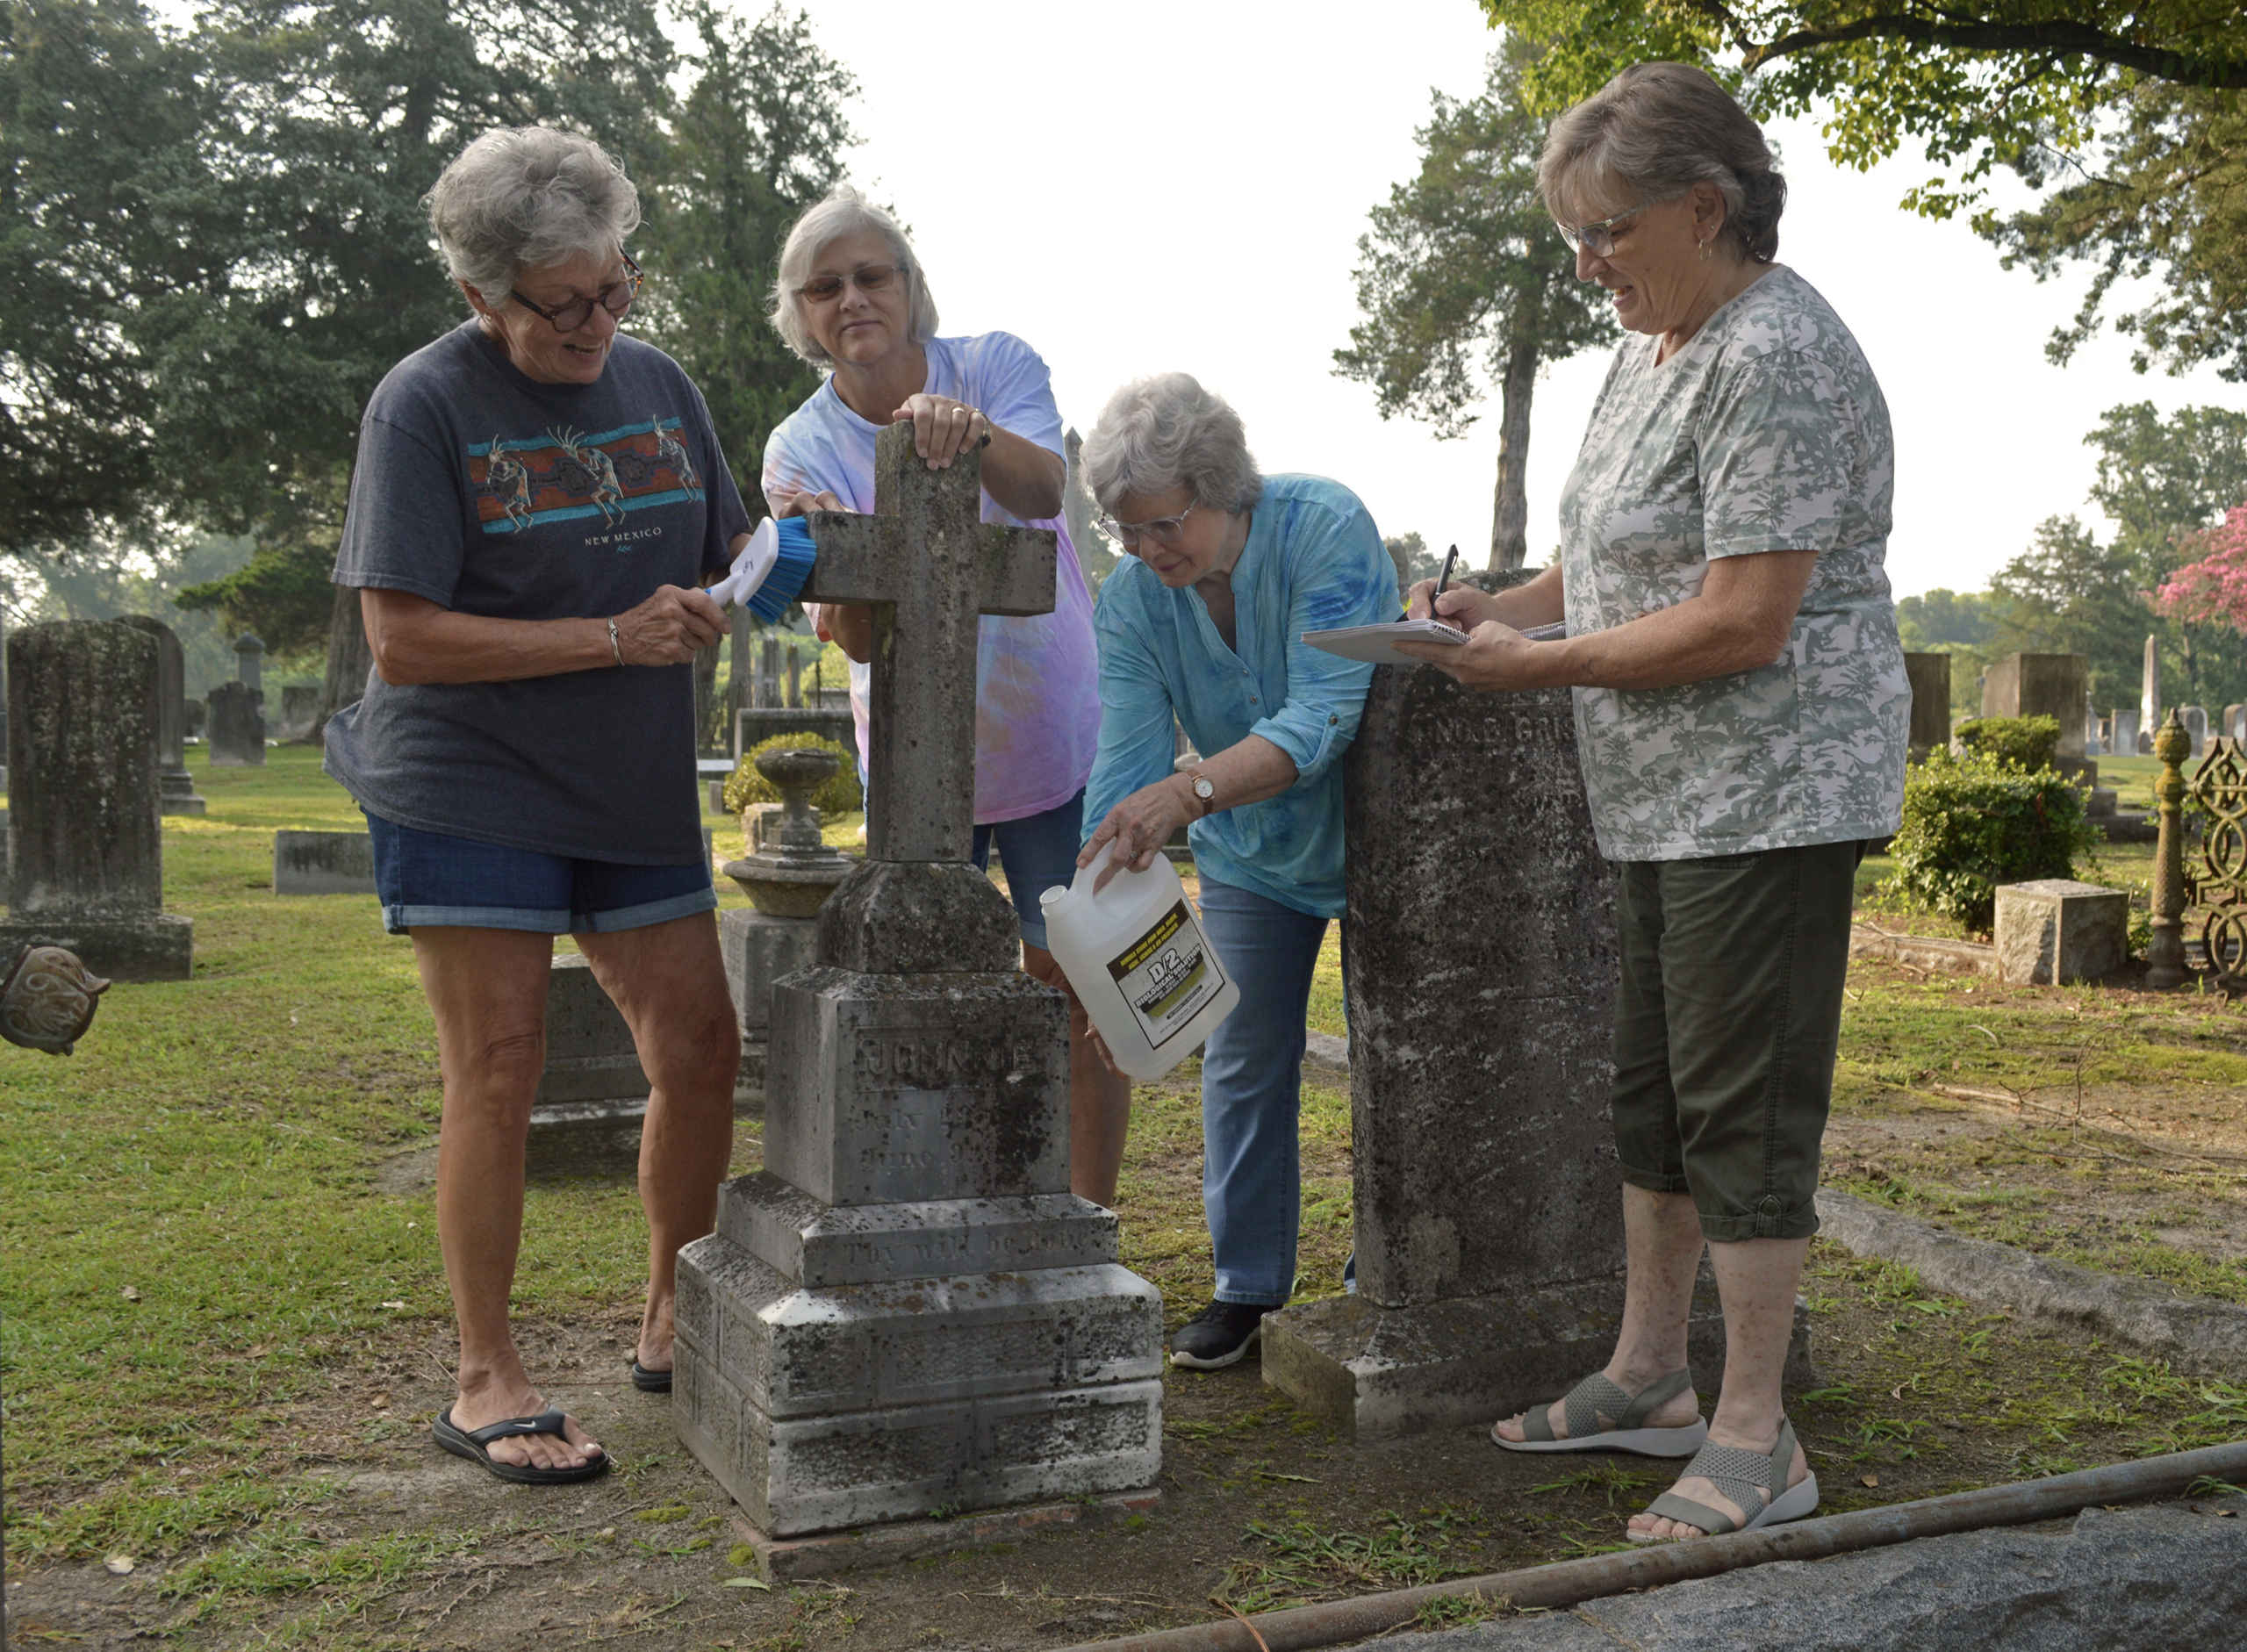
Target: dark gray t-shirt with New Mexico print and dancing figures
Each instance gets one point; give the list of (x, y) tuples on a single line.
[(498, 496)]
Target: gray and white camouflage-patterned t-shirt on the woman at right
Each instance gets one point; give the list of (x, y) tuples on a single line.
[(1767, 433)]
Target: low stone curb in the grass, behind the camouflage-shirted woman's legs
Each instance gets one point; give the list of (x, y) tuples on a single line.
[(2194, 1334)]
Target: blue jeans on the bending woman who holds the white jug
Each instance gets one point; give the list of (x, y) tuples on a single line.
[(1253, 1091)]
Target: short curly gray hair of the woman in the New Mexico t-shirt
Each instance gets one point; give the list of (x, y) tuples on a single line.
[(525, 199)]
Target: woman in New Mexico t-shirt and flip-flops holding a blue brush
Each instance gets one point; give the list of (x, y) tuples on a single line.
[(534, 509)]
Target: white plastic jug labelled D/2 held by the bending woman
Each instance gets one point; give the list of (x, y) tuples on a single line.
[(1140, 963)]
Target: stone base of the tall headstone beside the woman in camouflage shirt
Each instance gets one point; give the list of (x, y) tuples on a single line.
[(1381, 1374)]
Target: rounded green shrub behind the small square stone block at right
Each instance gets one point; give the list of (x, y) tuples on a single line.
[(1974, 824)]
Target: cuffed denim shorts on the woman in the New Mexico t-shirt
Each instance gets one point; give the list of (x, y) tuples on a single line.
[(433, 882)]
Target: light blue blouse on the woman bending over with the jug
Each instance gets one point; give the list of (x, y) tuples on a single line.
[(1313, 563)]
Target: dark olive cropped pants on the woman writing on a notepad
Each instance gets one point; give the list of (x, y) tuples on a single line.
[(1727, 1031)]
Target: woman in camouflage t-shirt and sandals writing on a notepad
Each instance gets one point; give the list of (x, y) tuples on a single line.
[(1740, 711)]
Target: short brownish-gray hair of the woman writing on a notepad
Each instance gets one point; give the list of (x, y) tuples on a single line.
[(1653, 134)]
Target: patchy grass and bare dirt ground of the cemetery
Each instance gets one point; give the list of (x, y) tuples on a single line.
[(226, 1325)]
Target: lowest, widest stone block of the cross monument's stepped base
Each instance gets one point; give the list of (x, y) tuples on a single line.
[(824, 1408)]
